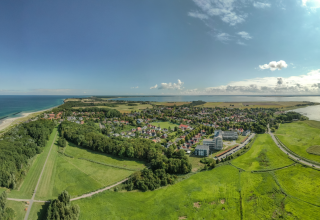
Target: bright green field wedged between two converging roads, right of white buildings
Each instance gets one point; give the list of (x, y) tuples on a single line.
[(264, 154)]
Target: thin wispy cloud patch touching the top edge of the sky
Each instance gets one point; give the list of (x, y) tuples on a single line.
[(225, 9)]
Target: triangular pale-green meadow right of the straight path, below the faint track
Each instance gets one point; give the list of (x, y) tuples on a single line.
[(76, 176)]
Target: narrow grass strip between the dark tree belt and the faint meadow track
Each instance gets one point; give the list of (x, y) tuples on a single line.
[(79, 152)]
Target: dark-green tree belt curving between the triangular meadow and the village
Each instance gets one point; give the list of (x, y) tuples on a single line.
[(165, 163)]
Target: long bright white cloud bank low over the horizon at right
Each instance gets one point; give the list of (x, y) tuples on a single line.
[(303, 84)]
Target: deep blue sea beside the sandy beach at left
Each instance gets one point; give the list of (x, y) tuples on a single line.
[(11, 104)]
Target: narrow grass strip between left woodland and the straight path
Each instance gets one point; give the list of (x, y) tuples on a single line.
[(29, 184)]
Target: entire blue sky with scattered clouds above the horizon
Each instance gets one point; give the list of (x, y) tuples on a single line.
[(153, 47)]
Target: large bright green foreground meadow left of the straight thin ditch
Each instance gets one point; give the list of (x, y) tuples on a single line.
[(206, 195)]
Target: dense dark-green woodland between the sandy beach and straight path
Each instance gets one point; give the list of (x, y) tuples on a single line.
[(17, 146)]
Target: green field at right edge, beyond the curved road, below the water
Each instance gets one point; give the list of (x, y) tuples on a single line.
[(299, 136)]
